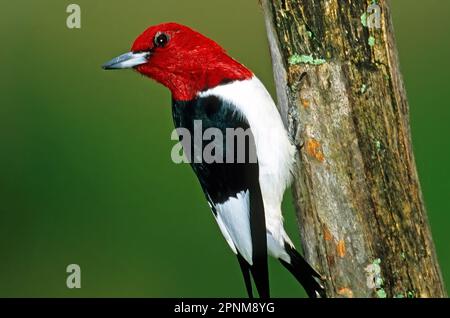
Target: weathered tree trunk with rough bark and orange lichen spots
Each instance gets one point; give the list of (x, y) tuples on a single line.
[(361, 213)]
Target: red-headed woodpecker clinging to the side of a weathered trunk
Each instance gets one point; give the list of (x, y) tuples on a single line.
[(211, 88)]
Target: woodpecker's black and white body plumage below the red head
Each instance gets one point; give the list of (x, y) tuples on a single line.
[(245, 198)]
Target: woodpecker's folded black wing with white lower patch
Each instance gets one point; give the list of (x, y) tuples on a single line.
[(232, 189)]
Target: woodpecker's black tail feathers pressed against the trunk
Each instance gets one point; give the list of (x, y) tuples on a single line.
[(304, 273)]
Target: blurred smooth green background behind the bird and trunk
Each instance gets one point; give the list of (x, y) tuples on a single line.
[(85, 169)]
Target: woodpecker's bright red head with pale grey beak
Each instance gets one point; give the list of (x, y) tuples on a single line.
[(181, 59)]
